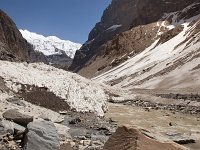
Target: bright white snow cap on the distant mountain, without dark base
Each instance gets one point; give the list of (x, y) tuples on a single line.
[(50, 45)]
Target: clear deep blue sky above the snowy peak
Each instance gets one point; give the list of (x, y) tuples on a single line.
[(66, 19)]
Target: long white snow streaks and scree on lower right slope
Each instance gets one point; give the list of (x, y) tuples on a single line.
[(143, 70)]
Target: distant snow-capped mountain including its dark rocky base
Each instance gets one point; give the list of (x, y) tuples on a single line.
[(51, 50)]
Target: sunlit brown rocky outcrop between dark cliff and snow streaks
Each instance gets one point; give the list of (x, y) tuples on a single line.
[(119, 49)]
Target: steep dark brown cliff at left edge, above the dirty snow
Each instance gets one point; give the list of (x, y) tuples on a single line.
[(13, 46)]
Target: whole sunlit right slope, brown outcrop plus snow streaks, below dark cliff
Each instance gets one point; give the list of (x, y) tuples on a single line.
[(162, 55)]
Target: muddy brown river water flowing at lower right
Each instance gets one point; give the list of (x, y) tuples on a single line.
[(170, 125)]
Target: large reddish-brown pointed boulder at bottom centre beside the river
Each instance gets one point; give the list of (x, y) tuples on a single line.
[(126, 138)]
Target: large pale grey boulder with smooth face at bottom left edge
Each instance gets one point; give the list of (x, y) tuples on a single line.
[(42, 135)]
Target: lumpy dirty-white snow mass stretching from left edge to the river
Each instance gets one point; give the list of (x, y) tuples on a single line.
[(80, 93)]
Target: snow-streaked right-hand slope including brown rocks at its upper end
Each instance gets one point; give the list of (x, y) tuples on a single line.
[(170, 62)]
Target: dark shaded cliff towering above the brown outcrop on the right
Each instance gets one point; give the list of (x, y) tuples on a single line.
[(121, 16)]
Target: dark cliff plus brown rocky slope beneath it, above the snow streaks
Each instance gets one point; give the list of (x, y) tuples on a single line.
[(127, 27)]
